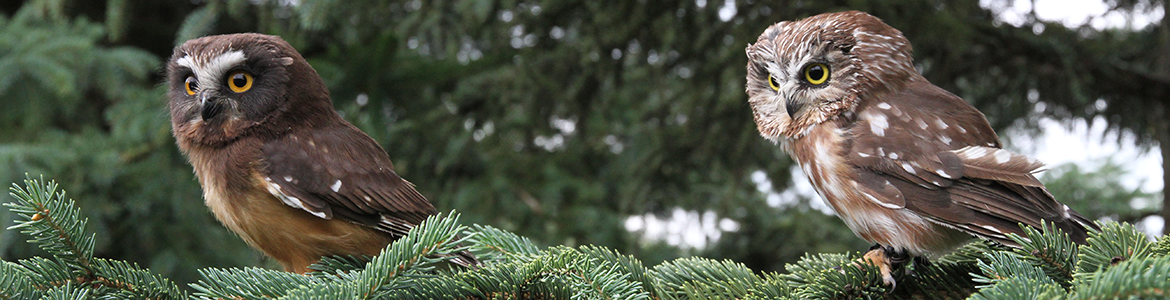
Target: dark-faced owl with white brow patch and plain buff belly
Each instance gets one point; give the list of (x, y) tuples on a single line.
[(278, 165)]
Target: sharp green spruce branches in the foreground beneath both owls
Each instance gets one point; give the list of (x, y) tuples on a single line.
[(1118, 263)]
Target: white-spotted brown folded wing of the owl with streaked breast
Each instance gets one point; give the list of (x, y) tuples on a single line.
[(928, 152)]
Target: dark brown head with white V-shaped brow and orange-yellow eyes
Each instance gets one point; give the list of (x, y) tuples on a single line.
[(224, 87)]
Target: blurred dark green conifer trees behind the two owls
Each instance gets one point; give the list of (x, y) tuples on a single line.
[(556, 120)]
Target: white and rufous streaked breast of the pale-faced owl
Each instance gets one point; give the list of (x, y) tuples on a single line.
[(822, 156)]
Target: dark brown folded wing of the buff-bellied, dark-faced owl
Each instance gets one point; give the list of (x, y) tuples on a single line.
[(341, 173)]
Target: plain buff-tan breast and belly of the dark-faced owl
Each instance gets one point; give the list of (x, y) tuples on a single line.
[(237, 194)]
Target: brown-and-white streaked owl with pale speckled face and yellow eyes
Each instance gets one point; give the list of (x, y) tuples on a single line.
[(905, 163)]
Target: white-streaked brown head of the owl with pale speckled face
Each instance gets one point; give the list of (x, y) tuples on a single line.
[(813, 71)]
